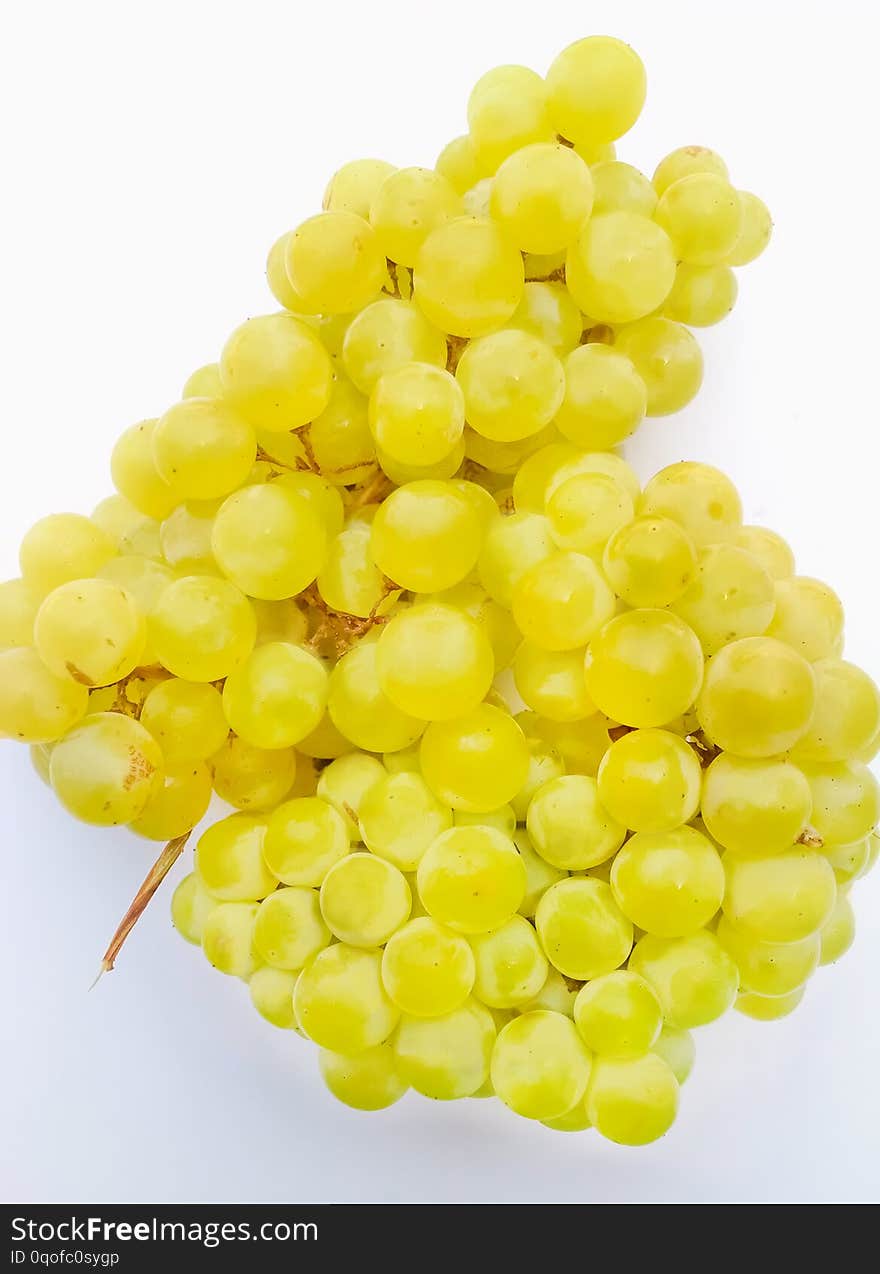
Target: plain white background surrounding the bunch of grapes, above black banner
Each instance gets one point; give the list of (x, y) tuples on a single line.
[(152, 155)]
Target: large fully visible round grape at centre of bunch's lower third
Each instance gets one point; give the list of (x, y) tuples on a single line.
[(472, 880)]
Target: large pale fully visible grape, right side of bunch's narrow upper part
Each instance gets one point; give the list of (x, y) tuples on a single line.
[(621, 268)]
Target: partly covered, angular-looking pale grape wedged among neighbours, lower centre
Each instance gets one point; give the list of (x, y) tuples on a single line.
[(401, 819)]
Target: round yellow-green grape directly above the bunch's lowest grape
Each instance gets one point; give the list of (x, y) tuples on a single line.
[(618, 1015)]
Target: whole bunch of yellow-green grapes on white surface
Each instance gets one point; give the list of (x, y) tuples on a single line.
[(536, 770)]
